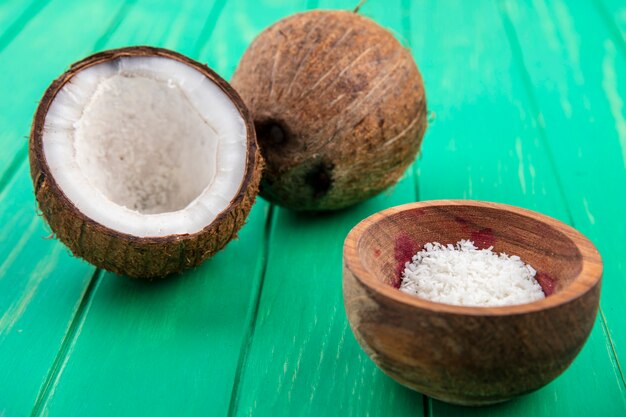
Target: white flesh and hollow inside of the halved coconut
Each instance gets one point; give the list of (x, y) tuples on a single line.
[(147, 146)]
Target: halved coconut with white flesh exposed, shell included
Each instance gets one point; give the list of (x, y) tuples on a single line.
[(144, 162)]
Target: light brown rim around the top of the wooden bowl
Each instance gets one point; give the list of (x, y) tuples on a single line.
[(589, 276)]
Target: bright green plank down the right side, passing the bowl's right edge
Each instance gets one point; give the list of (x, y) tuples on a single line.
[(581, 81)]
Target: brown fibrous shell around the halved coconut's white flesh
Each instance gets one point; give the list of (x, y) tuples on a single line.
[(138, 257)]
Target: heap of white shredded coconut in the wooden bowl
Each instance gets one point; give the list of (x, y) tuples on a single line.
[(462, 274)]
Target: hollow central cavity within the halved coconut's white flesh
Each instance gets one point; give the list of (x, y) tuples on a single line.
[(142, 144)]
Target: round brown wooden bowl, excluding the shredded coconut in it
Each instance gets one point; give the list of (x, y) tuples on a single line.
[(470, 355)]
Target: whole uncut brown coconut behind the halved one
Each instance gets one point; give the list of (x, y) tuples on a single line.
[(338, 105)]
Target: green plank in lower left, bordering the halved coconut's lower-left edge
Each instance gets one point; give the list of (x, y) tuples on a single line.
[(41, 287)]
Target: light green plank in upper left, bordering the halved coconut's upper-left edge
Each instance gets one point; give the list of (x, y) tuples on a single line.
[(72, 29)]
